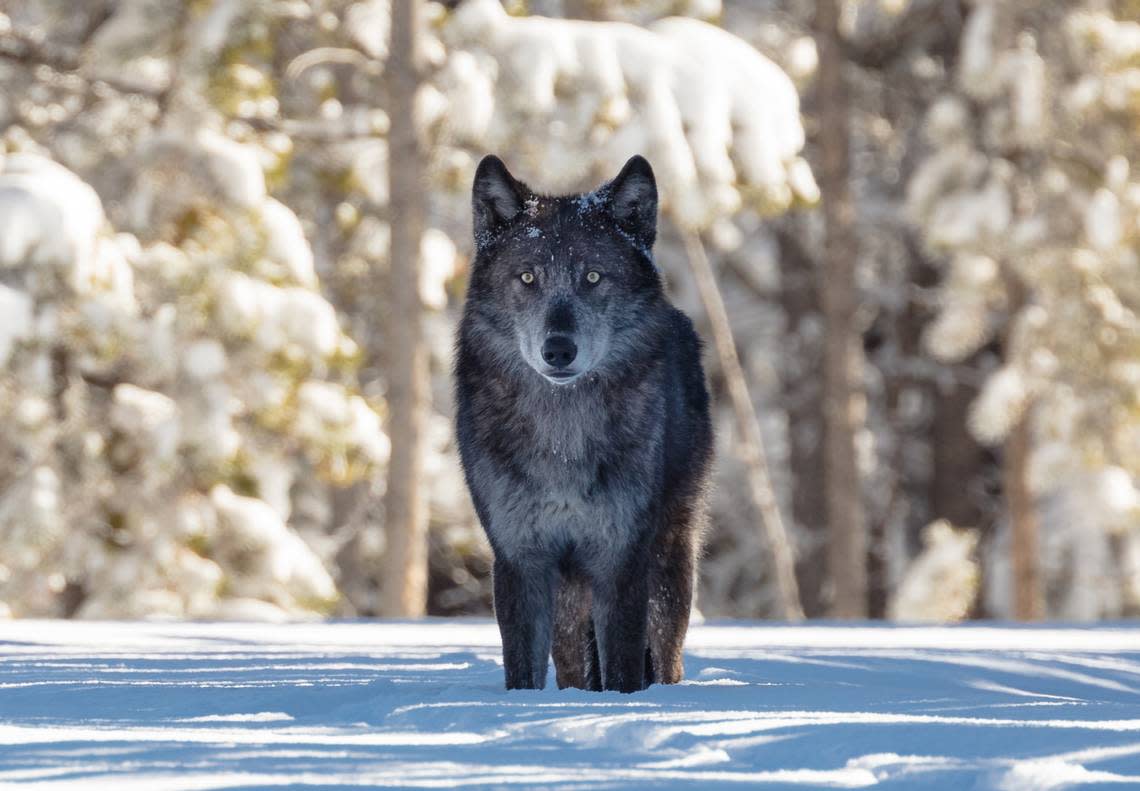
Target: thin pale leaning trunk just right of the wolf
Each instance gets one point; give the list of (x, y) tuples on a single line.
[(752, 441)]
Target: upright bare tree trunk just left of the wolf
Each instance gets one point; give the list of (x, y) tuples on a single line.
[(404, 588)]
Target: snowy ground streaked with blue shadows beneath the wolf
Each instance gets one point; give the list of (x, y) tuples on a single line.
[(205, 706)]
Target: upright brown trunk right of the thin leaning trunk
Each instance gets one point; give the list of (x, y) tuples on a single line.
[(843, 357)]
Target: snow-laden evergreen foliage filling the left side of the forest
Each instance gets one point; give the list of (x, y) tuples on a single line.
[(173, 389)]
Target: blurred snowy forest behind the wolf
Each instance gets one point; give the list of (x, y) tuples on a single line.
[(235, 235)]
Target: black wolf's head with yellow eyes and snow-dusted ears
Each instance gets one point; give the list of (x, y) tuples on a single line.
[(565, 281)]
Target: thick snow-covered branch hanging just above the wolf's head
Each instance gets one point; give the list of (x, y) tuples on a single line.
[(571, 100)]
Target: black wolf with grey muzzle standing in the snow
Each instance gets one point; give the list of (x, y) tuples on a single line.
[(584, 431)]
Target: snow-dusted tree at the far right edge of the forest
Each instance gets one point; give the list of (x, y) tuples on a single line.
[(1031, 193)]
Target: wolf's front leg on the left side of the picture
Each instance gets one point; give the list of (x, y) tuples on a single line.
[(524, 607)]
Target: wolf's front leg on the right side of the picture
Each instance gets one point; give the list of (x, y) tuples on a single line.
[(621, 615)]
